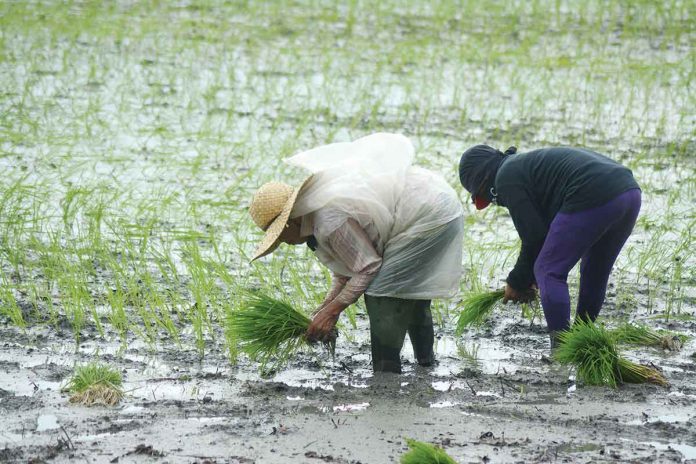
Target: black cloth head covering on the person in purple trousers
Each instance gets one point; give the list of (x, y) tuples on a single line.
[(478, 167)]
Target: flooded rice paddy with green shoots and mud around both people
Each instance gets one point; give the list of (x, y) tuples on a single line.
[(133, 135)]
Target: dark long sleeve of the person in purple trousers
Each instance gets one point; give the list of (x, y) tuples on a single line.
[(532, 230)]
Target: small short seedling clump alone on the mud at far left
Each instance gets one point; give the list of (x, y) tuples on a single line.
[(95, 384)]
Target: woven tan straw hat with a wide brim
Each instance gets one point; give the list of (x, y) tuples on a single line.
[(270, 209)]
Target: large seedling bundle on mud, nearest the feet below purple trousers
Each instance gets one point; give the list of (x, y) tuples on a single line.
[(593, 351)]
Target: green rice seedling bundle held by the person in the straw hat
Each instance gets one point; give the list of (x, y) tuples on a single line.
[(268, 329)]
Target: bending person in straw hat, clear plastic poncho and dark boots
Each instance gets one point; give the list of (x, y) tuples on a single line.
[(385, 228)]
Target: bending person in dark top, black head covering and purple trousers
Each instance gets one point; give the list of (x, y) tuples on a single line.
[(568, 205)]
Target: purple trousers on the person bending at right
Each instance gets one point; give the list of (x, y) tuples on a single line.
[(594, 236)]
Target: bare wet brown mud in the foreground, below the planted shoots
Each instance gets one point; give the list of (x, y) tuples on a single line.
[(510, 405)]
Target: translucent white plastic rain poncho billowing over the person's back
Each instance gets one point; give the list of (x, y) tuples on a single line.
[(411, 215)]
